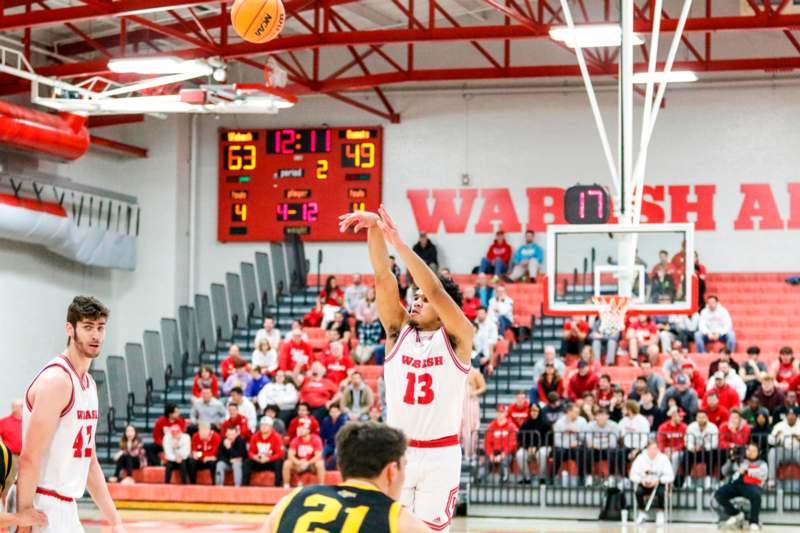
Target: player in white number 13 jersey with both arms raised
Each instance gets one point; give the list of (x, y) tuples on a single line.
[(425, 370)]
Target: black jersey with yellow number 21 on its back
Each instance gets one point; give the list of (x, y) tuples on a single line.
[(351, 507)]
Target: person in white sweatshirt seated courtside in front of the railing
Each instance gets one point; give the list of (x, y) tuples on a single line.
[(651, 471)]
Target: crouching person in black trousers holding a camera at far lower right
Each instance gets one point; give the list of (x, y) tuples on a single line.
[(746, 479)]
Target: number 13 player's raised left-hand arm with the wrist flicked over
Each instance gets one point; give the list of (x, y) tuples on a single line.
[(390, 311)]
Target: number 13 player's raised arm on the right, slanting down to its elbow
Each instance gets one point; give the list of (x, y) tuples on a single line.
[(449, 312)]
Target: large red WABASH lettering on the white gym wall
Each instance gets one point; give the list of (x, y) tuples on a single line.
[(452, 208)]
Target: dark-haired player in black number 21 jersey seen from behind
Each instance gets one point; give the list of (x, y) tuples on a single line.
[(371, 458)]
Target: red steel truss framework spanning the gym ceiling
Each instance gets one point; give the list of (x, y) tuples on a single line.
[(356, 57)]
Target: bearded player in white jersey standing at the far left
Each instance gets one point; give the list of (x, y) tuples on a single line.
[(58, 461)]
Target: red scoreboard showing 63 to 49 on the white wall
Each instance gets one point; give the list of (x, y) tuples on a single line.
[(290, 181)]
